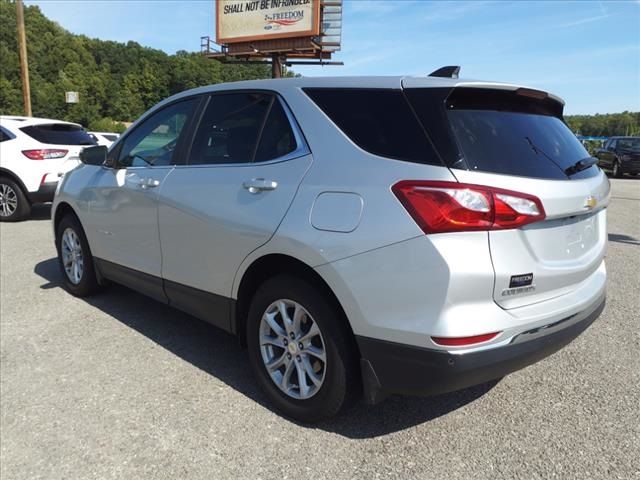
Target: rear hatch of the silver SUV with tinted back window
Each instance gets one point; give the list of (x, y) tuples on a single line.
[(515, 139)]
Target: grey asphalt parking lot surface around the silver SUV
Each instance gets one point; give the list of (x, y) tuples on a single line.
[(119, 386)]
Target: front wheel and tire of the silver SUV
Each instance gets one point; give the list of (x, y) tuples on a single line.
[(75, 259)]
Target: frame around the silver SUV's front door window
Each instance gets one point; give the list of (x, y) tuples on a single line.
[(181, 147)]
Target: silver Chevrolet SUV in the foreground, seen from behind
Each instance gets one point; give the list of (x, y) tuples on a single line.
[(359, 235)]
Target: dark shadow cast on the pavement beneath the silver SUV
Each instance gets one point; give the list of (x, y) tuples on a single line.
[(219, 354)]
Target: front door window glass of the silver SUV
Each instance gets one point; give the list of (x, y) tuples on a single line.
[(154, 141)]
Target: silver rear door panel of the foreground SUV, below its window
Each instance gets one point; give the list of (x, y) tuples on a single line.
[(209, 222)]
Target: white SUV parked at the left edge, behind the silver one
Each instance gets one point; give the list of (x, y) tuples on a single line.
[(34, 154)]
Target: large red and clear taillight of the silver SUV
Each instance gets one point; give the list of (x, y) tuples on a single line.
[(439, 207)]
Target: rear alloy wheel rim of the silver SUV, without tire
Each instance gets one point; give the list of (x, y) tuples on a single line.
[(292, 348)]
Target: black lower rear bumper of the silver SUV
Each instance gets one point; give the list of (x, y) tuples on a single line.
[(389, 367)]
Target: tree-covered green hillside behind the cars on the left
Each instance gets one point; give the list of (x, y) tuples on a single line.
[(114, 80)]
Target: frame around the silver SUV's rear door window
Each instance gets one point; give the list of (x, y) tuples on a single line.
[(302, 148)]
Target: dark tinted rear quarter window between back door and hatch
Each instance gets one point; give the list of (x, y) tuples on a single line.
[(378, 121)]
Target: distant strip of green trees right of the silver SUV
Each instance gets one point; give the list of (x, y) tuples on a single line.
[(608, 125)]
